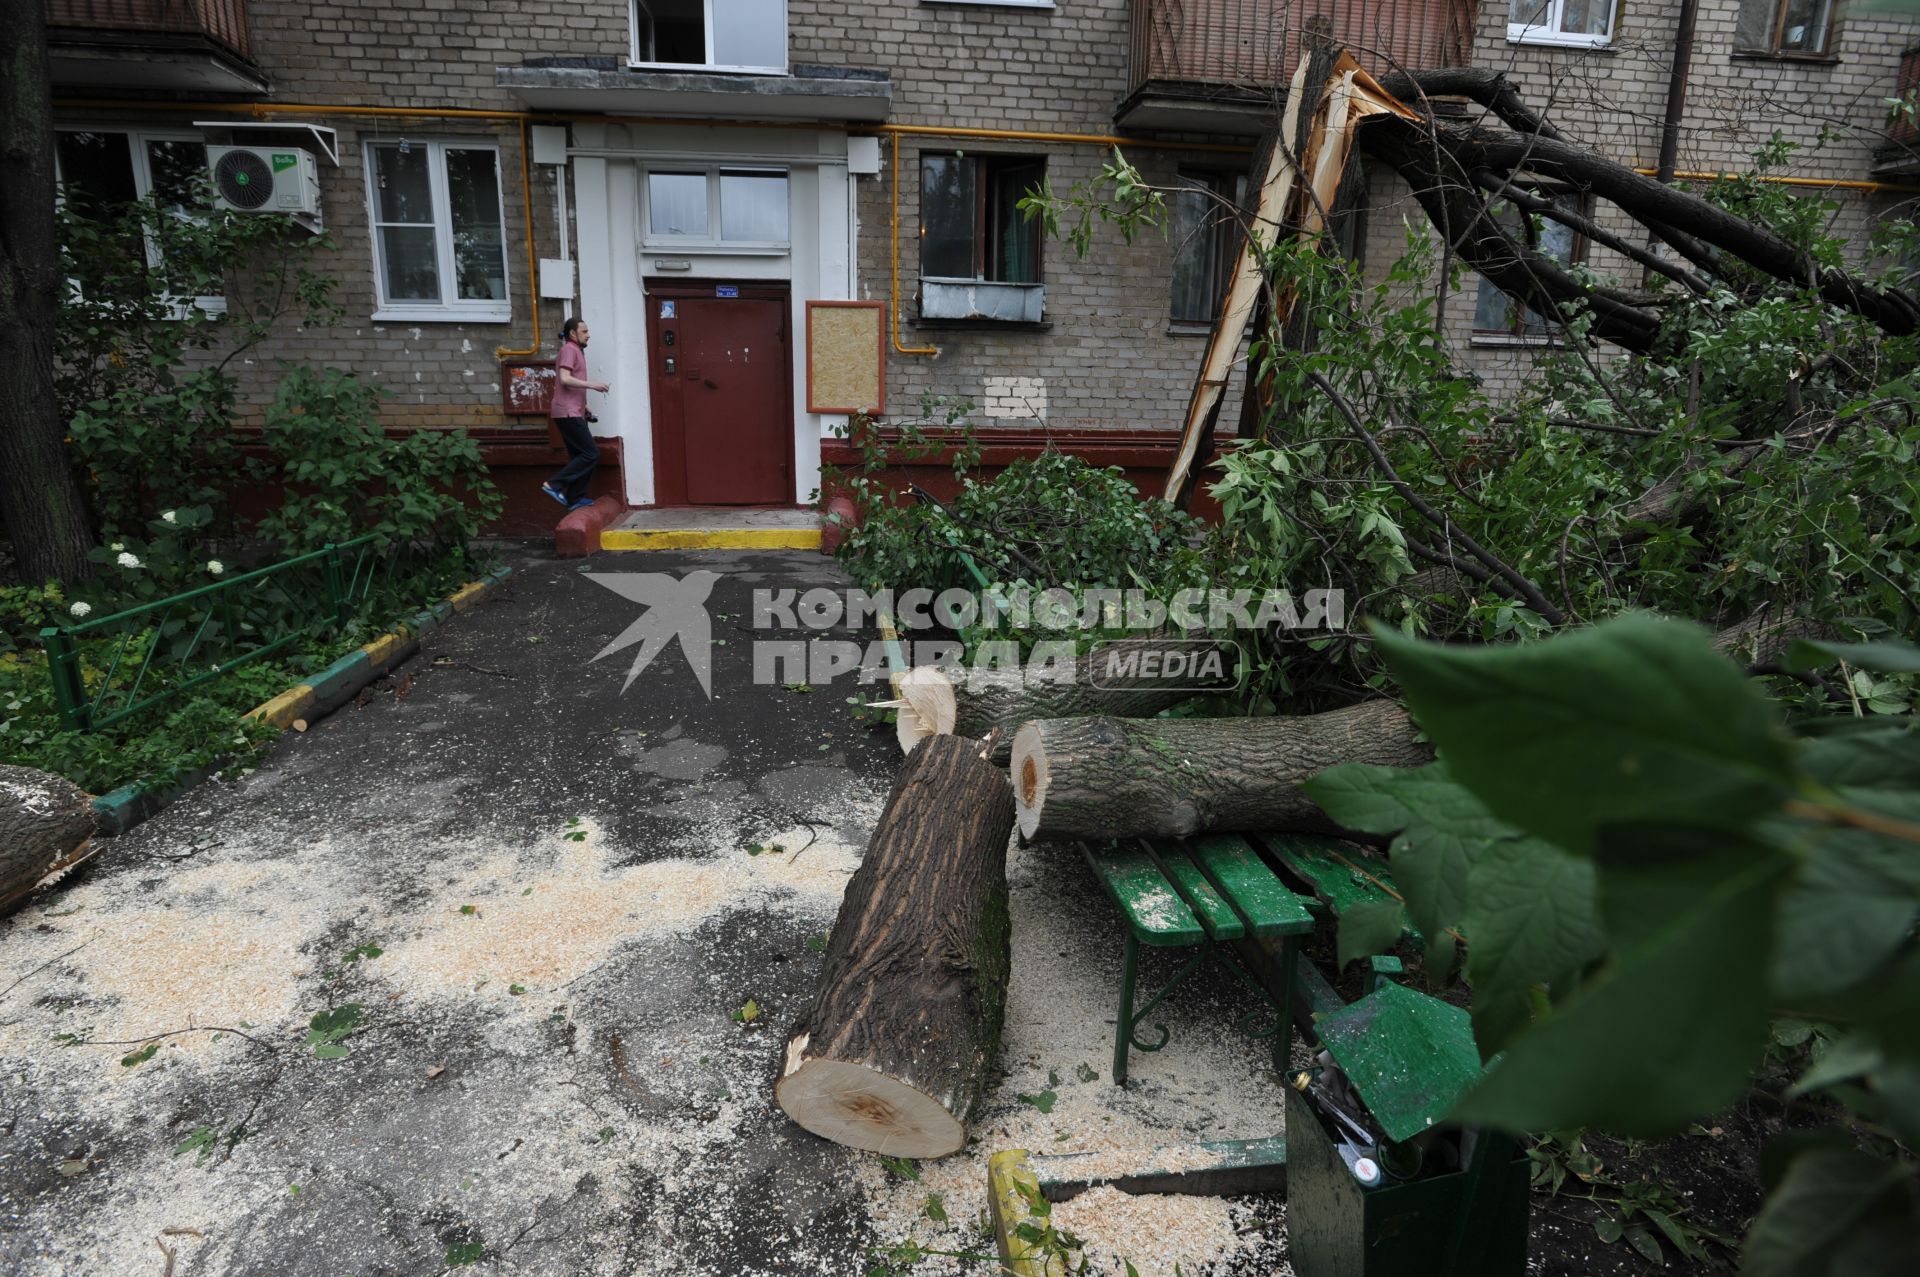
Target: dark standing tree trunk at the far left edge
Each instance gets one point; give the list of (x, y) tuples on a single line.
[(39, 498)]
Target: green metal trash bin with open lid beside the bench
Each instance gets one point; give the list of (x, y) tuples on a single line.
[(1378, 1186)]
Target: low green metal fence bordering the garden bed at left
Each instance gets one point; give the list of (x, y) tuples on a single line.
[(222, 627)]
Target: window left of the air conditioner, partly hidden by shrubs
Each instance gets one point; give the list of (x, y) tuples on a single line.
[(99, 170)]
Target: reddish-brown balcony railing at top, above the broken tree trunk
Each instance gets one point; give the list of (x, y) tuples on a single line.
[(1257, 43)]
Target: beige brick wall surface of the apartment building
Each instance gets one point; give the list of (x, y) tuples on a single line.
[(1109, 356)]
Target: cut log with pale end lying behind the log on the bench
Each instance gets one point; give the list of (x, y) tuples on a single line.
[(1109, 679)]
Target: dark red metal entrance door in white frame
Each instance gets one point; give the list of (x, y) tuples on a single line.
[(723, 395)]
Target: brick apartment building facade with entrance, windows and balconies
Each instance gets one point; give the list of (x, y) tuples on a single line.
[(642, 162)]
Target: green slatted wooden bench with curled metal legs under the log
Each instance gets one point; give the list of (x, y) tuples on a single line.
[(1199, 894)]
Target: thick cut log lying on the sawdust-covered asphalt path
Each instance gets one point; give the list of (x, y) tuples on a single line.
[(900, 1044)]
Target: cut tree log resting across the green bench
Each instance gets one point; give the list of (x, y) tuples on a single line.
[(1178, 777)]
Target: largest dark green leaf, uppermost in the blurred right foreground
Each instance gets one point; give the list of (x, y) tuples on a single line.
[(1633, 721)]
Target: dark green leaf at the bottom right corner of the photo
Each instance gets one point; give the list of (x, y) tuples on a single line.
[(1821, 1203)]
